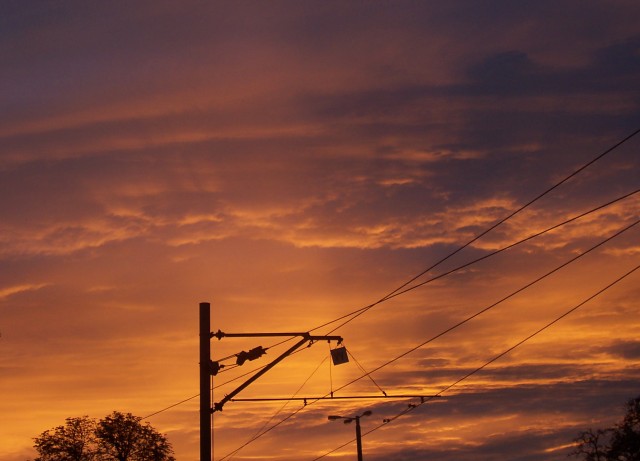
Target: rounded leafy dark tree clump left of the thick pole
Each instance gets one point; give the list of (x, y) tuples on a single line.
[(117, 437)]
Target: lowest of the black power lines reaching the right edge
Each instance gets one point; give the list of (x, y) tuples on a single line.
[(412, 407)]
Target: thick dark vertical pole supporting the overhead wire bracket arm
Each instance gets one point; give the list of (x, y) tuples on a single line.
[(205, 382)]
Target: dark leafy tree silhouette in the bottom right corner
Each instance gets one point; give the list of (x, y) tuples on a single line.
[(618, 443)]
